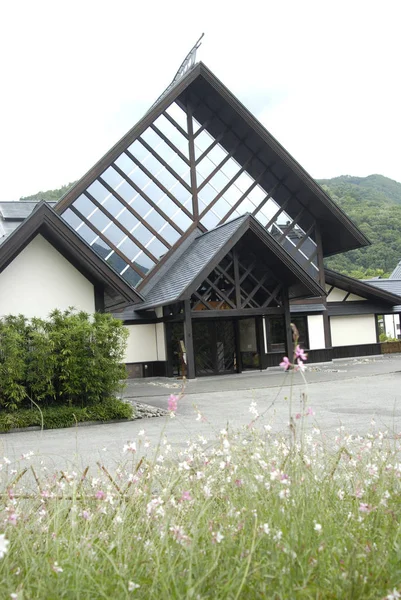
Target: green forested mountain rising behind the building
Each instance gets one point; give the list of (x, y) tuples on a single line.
[(373, 203)]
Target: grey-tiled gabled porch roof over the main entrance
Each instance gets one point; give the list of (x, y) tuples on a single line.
[(187, 269)]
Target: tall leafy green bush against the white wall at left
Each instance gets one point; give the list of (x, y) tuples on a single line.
[(71, 359)]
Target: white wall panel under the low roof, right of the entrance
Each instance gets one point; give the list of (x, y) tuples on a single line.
[(350, 330)]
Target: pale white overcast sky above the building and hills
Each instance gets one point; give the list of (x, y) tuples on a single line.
[(322, 76)]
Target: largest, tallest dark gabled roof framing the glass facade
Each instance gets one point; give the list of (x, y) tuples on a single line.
[(338, 232)]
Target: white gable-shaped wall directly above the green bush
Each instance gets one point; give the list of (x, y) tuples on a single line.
[(39, 280)]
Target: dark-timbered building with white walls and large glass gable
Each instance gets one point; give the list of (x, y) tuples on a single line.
[(204, 235)]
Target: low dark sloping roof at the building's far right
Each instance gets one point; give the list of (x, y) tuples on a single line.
[(369, 290)]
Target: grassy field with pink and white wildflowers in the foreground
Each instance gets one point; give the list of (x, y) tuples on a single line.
[(249, 516)]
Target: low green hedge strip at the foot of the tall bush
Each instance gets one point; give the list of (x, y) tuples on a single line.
[(65, 416)]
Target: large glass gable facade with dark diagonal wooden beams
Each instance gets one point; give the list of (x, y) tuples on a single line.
[(177, 175)]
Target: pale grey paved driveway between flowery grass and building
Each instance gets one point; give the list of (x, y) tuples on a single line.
[(344, 392)]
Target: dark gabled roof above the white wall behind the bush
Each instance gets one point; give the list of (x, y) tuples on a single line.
[(46, 222)]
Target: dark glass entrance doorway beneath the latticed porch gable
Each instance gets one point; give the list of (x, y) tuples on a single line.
[(214, 347)]
